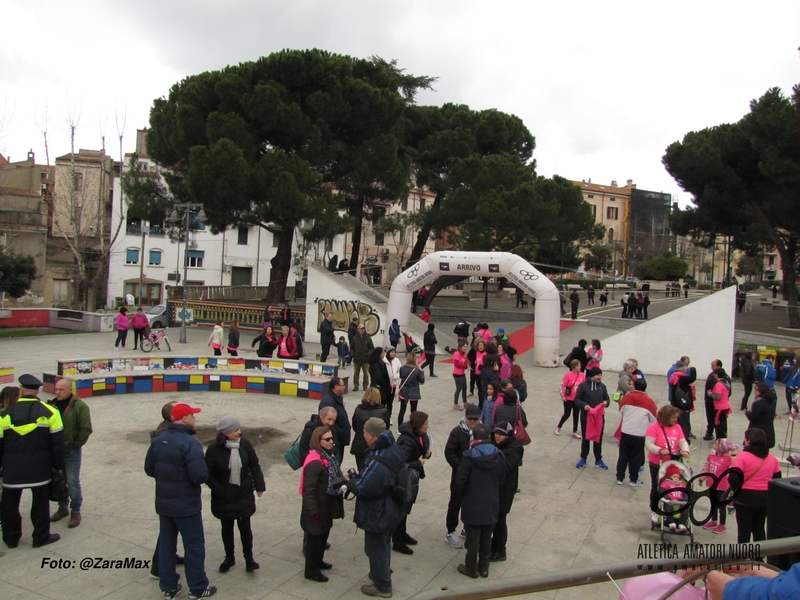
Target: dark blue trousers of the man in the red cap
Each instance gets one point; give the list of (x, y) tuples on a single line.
[(194, 547)]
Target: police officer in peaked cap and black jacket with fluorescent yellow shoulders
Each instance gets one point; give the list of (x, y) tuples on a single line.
[(31, 448)]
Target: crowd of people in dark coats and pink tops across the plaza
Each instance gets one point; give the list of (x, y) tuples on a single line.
[(484, 451)]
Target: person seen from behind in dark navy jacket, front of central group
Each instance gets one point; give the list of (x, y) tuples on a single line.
[(480, 473)]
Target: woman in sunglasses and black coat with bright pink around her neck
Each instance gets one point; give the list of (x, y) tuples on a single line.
[(321, 483)]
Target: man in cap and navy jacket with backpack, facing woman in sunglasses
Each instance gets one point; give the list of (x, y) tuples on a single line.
[(377, 512)]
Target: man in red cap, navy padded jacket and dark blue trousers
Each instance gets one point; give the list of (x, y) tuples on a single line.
[(176, 461)]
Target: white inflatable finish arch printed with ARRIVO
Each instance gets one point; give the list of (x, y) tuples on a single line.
[(518, 271)]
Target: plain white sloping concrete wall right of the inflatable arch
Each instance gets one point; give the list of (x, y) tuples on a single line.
[(702, 330)]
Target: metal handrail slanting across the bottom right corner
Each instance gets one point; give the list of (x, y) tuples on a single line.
[(541, 582)]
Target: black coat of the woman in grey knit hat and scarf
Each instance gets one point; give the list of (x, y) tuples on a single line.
[(230, 501)]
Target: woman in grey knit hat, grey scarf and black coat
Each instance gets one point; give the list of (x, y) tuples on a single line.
[(233, 474)]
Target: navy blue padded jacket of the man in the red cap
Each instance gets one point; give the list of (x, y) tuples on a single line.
[(175, 459)]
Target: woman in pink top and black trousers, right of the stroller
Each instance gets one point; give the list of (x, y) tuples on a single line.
[(758, 467)]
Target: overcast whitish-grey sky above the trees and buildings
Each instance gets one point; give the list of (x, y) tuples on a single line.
[(603, 86)]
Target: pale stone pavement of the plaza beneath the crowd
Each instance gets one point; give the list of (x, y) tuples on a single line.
[(563, 517)]
